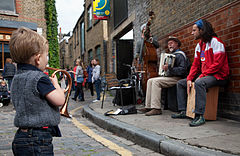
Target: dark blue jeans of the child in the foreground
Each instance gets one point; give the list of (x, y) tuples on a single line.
[(33, 142)]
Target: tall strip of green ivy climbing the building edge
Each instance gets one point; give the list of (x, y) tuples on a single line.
[(52, 33)]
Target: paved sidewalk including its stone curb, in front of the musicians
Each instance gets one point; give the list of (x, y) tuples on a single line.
[(169, 136)]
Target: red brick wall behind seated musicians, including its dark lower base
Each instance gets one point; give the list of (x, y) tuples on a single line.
[(226, 23)]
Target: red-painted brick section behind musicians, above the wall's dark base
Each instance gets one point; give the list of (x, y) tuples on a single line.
[(227, 25)]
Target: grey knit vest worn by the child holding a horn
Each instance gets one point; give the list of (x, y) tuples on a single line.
[(31, 110)]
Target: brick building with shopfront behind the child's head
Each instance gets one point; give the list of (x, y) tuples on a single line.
[(17, 13)]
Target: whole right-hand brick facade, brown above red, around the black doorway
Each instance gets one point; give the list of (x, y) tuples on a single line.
[(175, 18)]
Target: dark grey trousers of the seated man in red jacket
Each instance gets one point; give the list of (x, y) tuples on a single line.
[(201, 86)]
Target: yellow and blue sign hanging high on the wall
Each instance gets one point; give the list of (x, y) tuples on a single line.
[(101, 9)]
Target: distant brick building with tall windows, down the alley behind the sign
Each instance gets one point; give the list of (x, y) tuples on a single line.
[(88, 40)]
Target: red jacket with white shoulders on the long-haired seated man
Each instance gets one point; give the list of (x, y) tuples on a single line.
[(210, 59)]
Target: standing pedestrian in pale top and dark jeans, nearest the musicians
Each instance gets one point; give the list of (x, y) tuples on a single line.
[(96, 78)]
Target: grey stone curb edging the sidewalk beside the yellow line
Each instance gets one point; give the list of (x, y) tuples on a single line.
[(158, 143)]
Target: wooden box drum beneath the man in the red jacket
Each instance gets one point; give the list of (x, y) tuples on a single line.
[(211, 103)]
